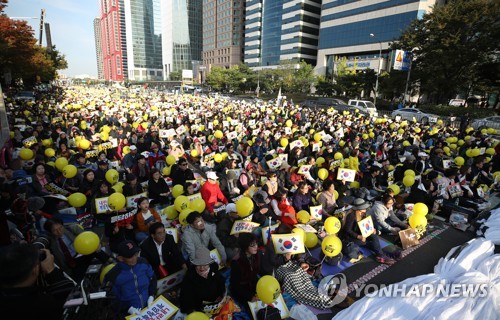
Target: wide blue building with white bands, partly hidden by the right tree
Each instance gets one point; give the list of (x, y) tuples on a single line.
[(359, 30)]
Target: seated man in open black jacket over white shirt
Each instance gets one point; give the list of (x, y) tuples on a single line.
[(161, 251)]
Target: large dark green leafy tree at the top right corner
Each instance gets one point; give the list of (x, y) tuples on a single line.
[(451, 45)]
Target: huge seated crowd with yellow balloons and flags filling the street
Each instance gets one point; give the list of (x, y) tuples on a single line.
[(285, 158)]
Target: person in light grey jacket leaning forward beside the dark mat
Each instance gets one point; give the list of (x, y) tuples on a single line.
[(384, 219)]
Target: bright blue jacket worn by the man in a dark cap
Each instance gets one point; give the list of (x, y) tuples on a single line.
[(132, 285)]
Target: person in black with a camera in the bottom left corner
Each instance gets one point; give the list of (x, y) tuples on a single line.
[(30, 283)]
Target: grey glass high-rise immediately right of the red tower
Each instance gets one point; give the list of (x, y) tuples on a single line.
[(144, 39)]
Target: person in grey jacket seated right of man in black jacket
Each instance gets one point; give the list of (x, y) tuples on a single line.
[(200, 234)]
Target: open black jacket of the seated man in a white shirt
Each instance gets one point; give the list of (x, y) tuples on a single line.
[(170, 252)]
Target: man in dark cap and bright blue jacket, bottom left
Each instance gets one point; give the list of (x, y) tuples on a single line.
[(132, 280)]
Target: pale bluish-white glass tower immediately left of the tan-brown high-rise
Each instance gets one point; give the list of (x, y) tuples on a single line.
[(182, 32)]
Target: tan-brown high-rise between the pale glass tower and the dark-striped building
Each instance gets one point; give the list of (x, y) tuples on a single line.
[(223, 24)]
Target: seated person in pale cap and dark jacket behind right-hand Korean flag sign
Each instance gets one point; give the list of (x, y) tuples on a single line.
[(351, 233)]
